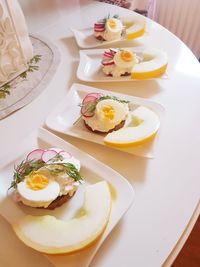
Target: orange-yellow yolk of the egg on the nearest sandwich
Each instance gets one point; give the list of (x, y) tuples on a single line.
[(37, 181)]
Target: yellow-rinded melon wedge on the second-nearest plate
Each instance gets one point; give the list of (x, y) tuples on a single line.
[(144, 125)]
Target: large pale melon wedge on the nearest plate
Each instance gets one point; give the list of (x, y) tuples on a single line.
[(53, 236)]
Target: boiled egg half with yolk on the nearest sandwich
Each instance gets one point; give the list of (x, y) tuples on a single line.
[(38, 189)]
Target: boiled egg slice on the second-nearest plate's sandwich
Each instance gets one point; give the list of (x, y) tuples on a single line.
[(111, 111)]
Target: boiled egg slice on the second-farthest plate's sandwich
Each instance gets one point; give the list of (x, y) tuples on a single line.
[(125, 59)]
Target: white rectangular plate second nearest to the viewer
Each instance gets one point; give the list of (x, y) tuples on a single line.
[(61, 119)]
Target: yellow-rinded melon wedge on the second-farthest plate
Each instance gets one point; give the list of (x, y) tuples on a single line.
[(153, 65)]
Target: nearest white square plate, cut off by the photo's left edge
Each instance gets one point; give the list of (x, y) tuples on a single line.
[(92, 171)]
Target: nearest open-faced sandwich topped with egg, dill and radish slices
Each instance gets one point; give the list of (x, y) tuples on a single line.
[(46, 178)]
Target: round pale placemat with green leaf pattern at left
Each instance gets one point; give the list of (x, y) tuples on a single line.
[(25, 88)]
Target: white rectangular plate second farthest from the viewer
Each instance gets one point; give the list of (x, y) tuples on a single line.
[(90, 67)]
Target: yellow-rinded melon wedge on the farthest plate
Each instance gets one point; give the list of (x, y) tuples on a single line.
[(135, 26)]
